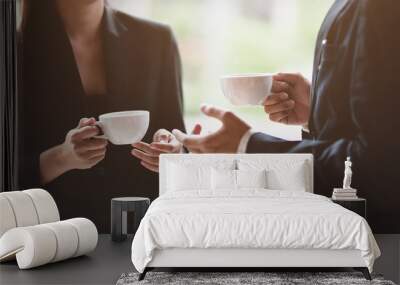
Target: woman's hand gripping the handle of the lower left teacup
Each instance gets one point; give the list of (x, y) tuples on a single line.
[(81, 149)]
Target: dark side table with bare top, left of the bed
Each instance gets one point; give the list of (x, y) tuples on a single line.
[(119, 209)]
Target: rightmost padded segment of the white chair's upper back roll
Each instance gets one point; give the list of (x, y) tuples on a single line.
[(45, 205)]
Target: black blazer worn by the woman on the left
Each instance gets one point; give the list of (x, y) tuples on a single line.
[(143, 73)]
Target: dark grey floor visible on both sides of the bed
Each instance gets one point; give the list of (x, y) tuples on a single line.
[(106, 264)]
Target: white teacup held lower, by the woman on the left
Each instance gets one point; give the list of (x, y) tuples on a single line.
[(122, 128)]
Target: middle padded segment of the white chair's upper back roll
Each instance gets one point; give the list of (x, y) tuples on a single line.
[(23, 208)]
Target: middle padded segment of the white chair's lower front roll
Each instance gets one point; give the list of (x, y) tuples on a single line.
[(67, 240)]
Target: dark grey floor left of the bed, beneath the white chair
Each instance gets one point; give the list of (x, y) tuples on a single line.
[(103, 266)]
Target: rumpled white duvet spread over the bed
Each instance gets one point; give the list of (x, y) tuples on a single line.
[(250, 219)]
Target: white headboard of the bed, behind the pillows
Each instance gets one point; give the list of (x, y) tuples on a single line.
[(214, 159)]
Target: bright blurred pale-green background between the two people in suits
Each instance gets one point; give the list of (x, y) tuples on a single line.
[(220, 37)]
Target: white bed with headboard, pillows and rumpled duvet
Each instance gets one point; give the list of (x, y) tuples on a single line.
[(247, 211)]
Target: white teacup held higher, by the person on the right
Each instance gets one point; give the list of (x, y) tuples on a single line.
[(247, 89)]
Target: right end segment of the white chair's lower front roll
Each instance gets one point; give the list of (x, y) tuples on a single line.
[(87, 234)]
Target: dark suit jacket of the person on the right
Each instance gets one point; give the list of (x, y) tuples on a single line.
[(355, 107)]
